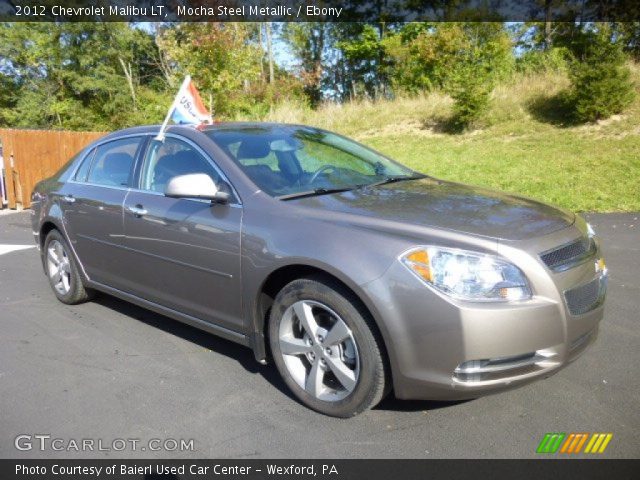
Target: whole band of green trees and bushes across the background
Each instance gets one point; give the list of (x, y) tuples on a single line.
[(103, 76)]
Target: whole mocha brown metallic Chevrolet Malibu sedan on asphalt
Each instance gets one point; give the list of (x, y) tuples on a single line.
[(353, 274)]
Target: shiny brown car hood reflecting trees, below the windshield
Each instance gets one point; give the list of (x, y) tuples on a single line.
[(434, 203)]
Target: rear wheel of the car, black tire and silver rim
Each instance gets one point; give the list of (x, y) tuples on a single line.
[(64, 278)]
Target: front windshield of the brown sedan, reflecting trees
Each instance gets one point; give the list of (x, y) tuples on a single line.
[(288, 160)]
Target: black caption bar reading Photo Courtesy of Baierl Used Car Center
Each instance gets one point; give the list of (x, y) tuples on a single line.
[(319, 469)]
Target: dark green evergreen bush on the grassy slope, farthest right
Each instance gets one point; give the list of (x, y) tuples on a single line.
[(600, 78)]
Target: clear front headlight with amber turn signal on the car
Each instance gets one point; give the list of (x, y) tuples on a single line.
[(467, 275)]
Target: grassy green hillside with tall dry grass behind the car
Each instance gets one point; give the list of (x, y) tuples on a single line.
[(518, 147)]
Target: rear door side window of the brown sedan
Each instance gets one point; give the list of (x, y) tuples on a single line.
[(113, 161)]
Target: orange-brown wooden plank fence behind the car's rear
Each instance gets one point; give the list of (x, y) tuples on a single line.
[(31, 155)]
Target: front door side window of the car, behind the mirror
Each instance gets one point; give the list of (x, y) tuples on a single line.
[(168, 159)]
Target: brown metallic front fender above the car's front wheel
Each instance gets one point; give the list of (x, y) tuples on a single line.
[(354, 249)]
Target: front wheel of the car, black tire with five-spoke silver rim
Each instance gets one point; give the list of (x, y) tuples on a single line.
[(341, 372)]
